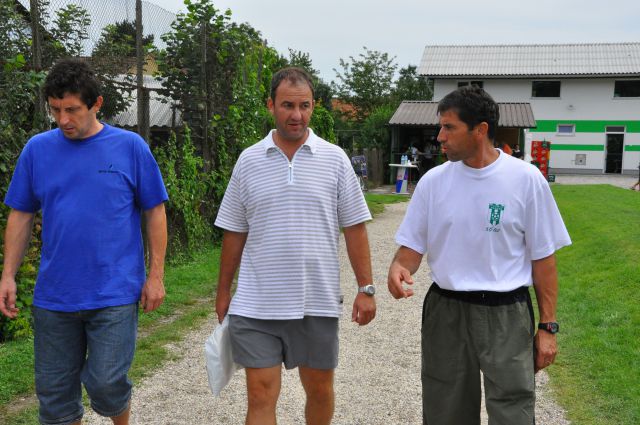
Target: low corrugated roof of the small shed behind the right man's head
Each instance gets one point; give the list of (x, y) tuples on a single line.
[(515, 115)]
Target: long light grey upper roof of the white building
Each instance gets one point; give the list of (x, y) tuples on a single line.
[(539, 60)]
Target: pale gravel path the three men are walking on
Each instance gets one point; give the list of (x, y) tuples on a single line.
[(377, 380)]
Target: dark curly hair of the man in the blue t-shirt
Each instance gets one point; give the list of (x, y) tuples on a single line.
[(73, 76)]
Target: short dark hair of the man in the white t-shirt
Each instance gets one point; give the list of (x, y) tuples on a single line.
[(473, 106)]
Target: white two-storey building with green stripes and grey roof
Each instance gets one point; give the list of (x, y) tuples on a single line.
[(585, 97)]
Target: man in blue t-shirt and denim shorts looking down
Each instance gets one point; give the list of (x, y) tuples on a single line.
[(91, 182)]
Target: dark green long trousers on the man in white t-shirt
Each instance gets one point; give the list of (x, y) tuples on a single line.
[(459, 340)]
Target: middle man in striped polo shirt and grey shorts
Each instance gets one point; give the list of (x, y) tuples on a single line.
[(287, 199)]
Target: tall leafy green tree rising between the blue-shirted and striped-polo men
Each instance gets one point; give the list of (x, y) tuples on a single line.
[(202, 72)]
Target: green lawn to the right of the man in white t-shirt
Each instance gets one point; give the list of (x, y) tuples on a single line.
[(597, 372)]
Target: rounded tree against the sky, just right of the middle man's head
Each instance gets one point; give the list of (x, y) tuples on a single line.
[(366, 82)]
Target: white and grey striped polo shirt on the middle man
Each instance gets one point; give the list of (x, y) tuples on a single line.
[(292, 212)]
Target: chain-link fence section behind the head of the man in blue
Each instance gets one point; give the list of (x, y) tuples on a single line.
[(106, 32)]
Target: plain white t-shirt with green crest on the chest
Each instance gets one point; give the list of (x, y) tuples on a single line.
[(481, 228)]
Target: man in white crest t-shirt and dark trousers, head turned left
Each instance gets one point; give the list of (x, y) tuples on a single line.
[(489, 226)]
